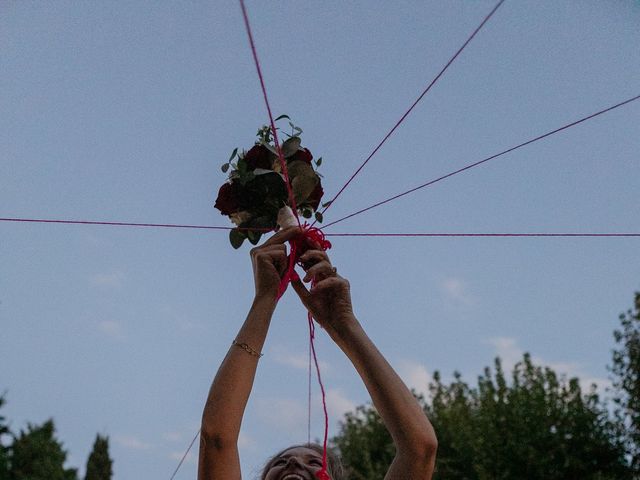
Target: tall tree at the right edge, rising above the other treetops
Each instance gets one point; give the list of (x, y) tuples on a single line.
[(626, 381)]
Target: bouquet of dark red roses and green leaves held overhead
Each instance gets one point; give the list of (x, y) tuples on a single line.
[(256, 190)]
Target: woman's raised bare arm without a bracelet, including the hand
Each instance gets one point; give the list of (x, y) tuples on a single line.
[(329, 301)]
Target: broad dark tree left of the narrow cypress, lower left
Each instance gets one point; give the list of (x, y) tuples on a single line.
[(36, 454)]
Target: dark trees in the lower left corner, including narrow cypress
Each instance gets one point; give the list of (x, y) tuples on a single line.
[(36, 454)]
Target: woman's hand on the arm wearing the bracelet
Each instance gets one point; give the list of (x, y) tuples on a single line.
[(270, 262)]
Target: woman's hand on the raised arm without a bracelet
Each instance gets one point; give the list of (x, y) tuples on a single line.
[(329, 299)]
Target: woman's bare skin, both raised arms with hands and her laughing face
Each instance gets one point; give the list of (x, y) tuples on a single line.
[(329, 301)]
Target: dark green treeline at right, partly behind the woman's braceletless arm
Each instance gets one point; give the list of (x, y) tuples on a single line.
[(529, 424)]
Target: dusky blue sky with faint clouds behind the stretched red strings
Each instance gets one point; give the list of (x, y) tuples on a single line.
[(125, 111)]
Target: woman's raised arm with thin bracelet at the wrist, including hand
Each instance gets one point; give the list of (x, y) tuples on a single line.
[(231, 387)]
